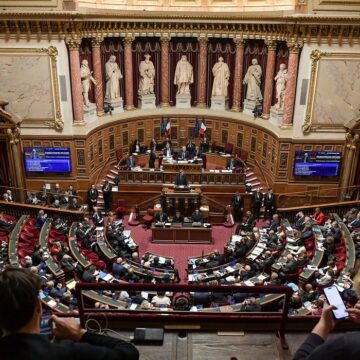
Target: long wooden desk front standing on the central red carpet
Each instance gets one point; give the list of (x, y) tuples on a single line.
[(184, 234)]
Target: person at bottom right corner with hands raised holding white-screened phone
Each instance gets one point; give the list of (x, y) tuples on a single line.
[(342, 346)]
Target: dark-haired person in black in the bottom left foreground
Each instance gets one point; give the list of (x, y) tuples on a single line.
[(20, 323)]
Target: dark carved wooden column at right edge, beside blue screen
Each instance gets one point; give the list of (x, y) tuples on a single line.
[(351, 146)]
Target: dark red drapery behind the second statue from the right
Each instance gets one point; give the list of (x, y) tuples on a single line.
[(255, 49)]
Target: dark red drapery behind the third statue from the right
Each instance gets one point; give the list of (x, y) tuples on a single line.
[(226, 49)]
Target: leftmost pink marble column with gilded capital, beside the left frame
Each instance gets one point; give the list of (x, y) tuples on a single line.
[(76, 90)]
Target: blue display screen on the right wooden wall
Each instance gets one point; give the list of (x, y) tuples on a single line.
[(317, 163)]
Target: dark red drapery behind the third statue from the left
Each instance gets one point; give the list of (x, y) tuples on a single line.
[(140, 47)]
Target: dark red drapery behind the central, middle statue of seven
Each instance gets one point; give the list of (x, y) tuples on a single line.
[(190, 48)]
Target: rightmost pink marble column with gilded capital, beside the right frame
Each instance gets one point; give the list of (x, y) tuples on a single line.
[(290, 92)]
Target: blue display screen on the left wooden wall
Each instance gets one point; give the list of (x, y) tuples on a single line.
[(44, 160)]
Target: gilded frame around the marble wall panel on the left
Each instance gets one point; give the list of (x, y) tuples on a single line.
[(51, 53)]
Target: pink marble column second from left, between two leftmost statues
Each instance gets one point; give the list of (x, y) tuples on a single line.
[(96, 57)]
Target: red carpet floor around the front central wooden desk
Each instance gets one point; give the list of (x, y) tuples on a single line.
[(180, 252)]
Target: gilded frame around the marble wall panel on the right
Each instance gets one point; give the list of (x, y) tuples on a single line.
[(309, 125)]
